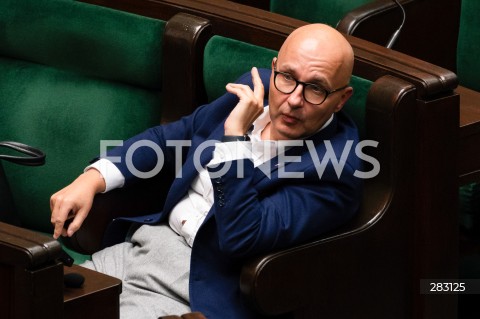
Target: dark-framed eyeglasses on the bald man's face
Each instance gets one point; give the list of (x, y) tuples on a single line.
[(312, 93)]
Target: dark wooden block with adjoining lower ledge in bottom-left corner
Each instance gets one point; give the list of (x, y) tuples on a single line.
[(33, 280)]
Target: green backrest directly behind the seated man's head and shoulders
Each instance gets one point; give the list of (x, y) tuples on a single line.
[(226, 59)]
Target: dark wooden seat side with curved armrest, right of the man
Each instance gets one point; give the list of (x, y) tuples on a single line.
[(343, 263)]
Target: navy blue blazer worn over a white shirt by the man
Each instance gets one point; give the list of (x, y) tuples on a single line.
[(255, 214)]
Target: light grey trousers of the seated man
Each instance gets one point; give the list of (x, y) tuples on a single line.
[(154, 267)]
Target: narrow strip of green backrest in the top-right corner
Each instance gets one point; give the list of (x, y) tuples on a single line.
[(468, 65)]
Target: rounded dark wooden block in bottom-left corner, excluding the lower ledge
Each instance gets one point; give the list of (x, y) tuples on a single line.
[(31, 276)]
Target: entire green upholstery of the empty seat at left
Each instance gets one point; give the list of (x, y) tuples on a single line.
[(72, 74)]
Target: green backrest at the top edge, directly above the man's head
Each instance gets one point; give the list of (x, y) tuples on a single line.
[(326, 11)]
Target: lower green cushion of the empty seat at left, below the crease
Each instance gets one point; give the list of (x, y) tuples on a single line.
[(66, 115)]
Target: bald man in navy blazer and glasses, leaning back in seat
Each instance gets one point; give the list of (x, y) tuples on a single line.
[(259, 185)]
